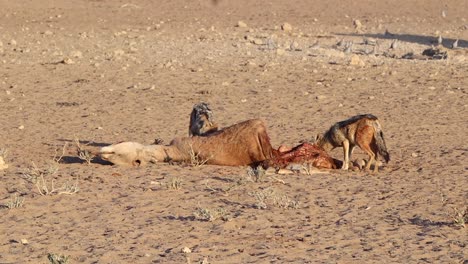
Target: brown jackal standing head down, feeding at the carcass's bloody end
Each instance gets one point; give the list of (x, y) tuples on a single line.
[(361, 130)]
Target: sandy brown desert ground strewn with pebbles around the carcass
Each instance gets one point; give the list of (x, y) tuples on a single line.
[(106, 71)]
